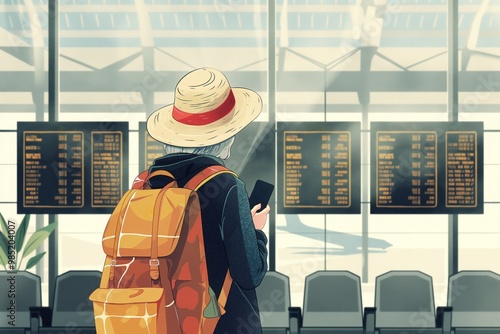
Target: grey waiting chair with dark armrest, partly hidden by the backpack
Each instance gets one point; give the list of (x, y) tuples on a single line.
[(71, 310)]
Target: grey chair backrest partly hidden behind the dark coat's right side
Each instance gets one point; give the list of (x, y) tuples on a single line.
[(273, 295)]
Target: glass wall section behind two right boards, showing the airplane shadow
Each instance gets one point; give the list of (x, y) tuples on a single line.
[(365, 62)]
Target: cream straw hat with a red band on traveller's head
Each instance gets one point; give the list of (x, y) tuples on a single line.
[(206, 111)]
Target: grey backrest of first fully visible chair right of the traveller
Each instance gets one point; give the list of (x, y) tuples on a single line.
[(332, 299)]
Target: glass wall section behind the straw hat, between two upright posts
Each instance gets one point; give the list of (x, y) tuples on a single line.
[(120, 61)]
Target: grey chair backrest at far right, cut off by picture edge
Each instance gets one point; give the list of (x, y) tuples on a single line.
[(475, 298)]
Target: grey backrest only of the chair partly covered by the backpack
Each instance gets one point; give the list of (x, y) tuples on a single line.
[(72, 306)]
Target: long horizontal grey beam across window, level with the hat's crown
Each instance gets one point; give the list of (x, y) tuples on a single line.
[(288, 81)]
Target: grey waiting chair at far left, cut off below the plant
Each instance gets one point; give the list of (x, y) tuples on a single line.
[(23, 290)]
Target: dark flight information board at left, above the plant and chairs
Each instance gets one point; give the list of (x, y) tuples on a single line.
[(71, 167)]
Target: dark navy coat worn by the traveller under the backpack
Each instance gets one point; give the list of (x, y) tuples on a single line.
[(230, 238)]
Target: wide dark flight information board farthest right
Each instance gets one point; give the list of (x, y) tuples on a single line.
[(426, 167)]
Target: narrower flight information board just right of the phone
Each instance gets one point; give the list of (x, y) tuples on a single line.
[(319, 167)]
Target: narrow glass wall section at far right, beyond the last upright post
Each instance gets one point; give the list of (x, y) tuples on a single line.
[(479, 98)]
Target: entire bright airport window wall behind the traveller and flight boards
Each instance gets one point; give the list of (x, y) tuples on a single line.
[(329, 61)]
